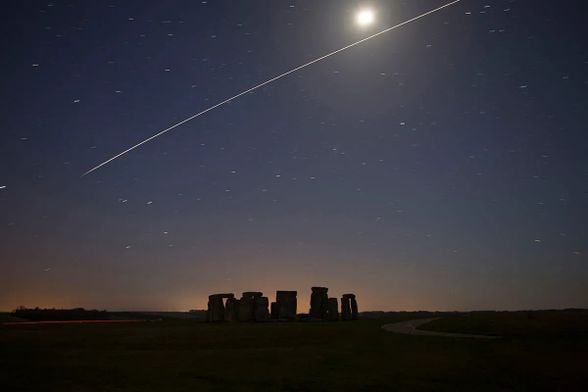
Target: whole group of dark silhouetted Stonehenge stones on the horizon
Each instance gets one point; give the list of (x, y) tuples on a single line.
[(253, 306)]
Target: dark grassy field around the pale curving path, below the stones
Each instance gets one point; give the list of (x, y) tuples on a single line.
[(538, 351)]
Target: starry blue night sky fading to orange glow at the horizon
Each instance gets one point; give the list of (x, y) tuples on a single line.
[(443, 165)]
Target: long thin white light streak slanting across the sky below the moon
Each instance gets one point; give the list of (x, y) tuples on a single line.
[(173, 126)]
